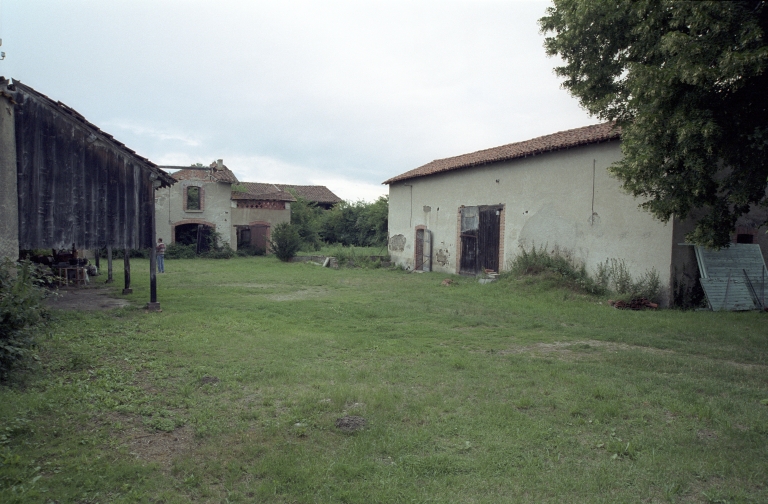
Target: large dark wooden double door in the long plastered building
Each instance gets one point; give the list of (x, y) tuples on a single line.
[(480, 238)]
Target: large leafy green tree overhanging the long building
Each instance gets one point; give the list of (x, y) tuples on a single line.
[(687, 82)]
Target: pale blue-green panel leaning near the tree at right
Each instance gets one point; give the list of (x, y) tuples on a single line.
[(734, 278)]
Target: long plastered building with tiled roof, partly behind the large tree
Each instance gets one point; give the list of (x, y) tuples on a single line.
[(474, 212)]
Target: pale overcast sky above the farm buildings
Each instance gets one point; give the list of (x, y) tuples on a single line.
[(340, 93)]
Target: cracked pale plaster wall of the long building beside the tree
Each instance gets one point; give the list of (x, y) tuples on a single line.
[(564, 198)]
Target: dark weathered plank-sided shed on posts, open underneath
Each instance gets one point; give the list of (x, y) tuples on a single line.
[(64, 183)]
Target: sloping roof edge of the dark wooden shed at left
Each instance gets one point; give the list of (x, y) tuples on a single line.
[(10, 87)]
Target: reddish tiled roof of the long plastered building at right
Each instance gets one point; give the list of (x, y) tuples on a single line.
[(556, 141)]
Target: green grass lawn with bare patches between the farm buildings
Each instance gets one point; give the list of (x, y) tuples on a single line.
[(508, 392)]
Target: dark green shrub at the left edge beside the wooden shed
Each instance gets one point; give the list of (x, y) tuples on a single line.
[(22, 293)]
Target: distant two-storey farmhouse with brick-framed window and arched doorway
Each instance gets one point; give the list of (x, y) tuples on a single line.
[(211, 199)]
